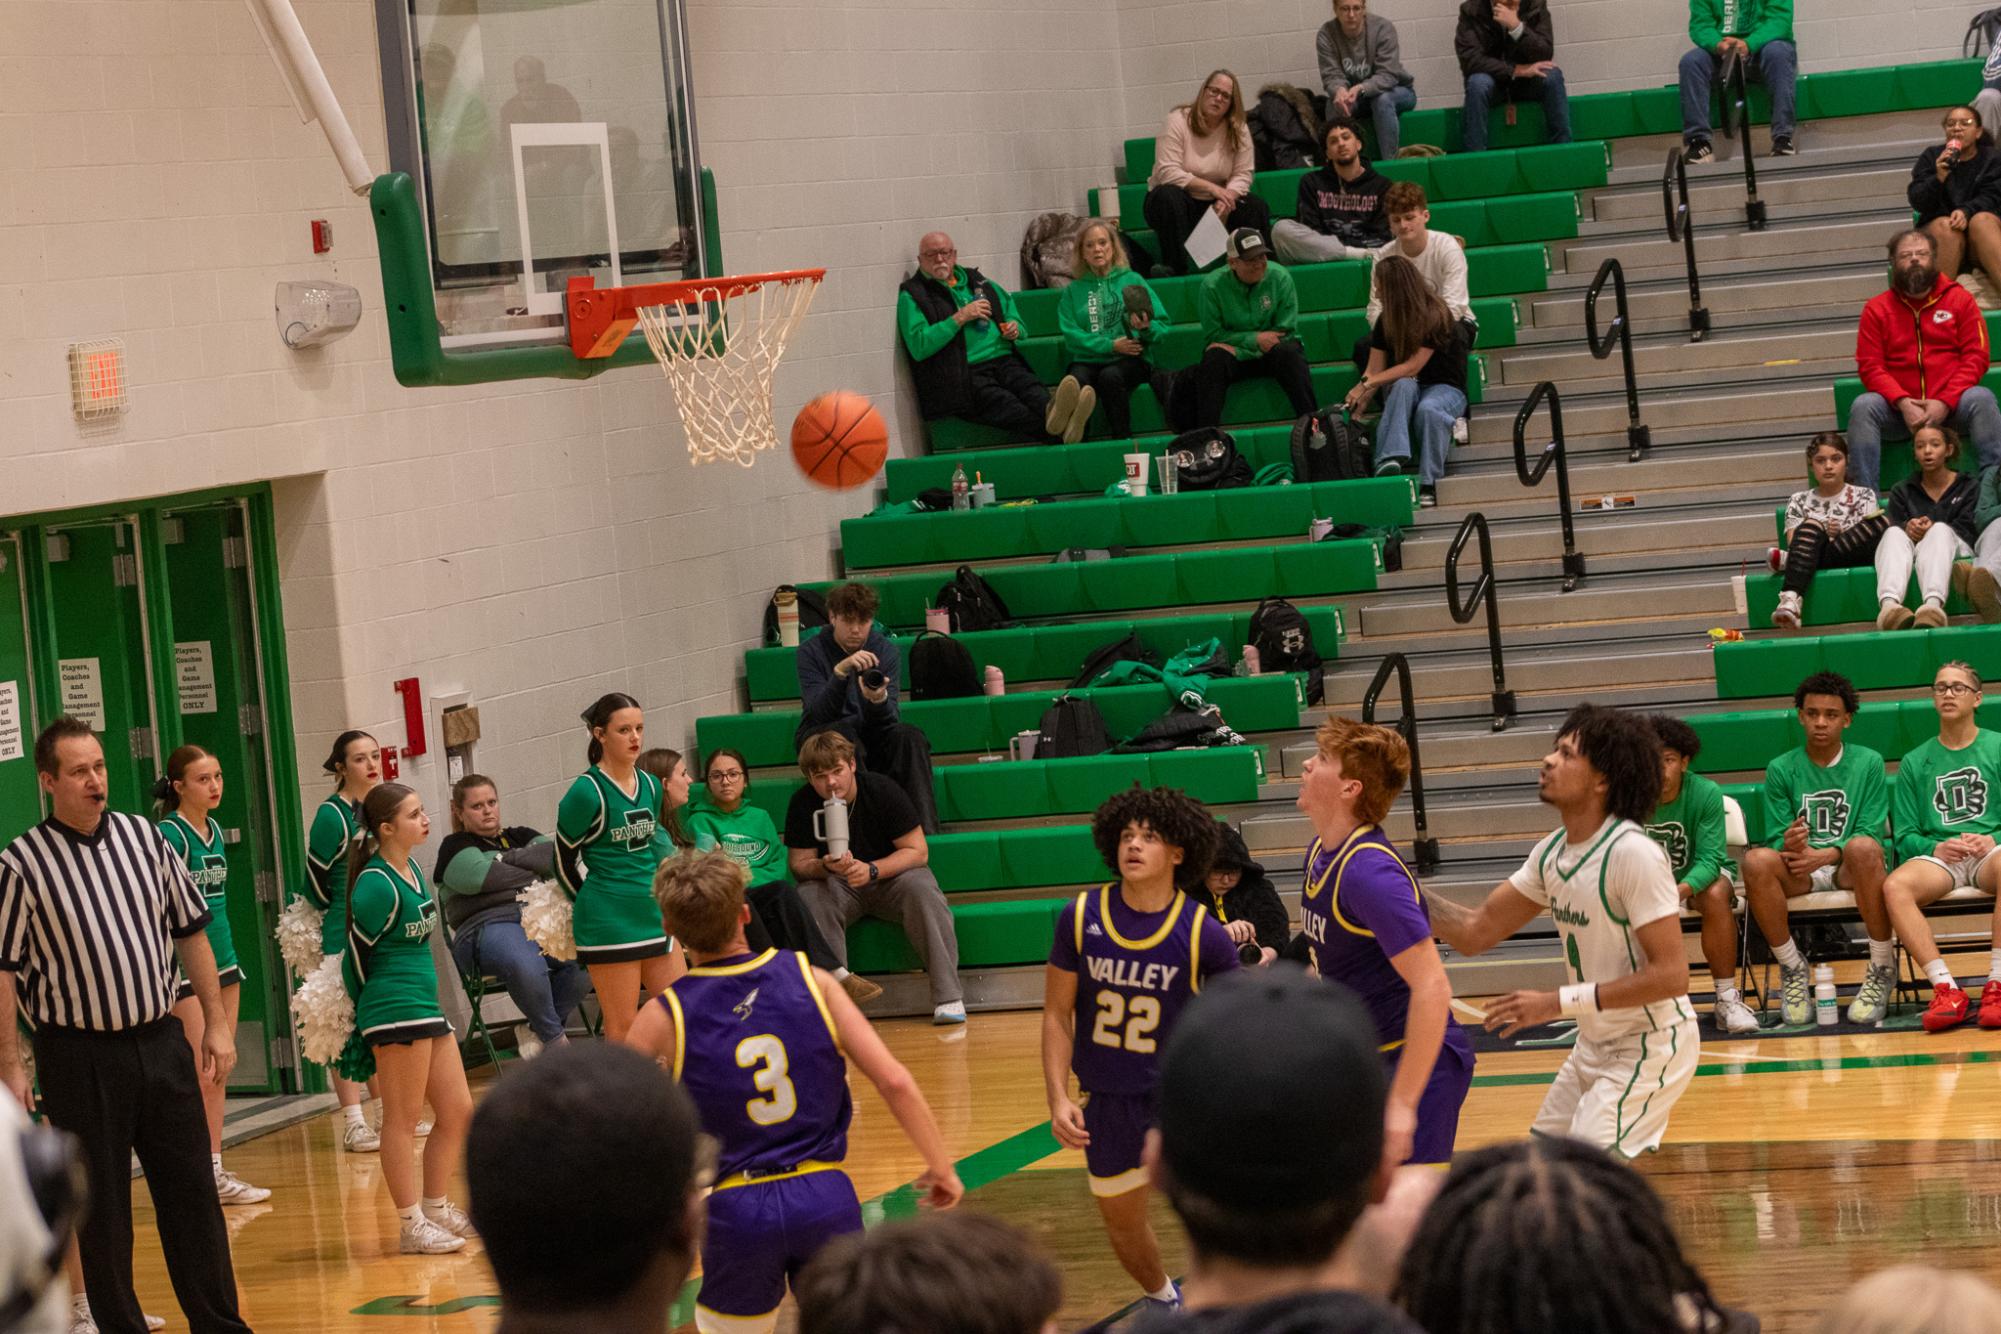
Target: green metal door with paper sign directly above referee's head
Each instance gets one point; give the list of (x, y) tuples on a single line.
[(97, 657)]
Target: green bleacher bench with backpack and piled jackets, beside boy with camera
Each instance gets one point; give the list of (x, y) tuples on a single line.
[(987, 723)]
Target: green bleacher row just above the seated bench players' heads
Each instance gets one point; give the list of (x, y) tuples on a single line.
[(1874, 661)]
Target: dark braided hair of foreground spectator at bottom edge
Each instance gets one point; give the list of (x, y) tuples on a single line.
[(1550, 1235)]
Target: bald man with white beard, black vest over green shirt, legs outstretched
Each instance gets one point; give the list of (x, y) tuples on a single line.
[(959, 327)]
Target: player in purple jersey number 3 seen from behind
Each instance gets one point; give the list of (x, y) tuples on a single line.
[(763, 1045)]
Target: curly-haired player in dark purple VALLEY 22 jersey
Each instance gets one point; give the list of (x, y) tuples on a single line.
[(1128, 959)]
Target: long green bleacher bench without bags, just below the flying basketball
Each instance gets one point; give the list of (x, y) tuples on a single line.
[(1186, 519)]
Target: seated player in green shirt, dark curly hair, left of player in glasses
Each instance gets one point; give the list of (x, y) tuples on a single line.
[(1824, 815)]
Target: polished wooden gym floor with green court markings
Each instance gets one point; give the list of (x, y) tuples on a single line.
[(1794, 1167)]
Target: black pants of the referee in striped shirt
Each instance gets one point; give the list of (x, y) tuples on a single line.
[(125, 1093)]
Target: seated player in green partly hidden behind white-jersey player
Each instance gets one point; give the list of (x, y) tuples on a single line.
[(1692, 833)]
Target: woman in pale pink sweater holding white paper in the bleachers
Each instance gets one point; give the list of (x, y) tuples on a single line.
[(1204, 161)]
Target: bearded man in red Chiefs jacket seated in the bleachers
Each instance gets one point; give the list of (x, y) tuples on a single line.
[(1922, 351)]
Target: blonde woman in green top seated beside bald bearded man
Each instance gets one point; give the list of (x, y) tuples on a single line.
[(1110, 321)]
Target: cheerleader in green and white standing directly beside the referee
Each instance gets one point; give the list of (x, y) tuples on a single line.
[(185, 801)]
